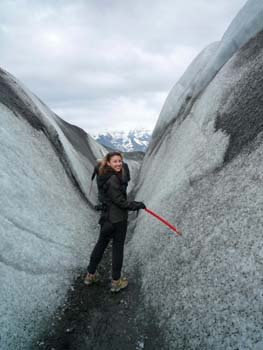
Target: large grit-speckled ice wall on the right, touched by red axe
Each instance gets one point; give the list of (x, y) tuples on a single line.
[(204, 174)]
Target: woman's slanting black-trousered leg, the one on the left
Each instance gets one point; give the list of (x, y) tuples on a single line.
[(103, 240)]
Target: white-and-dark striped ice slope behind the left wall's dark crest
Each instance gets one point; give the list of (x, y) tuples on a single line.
[(71, 143)]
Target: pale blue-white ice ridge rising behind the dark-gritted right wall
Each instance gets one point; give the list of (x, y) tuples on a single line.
[(246, 24)]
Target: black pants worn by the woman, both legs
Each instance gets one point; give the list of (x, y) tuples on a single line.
[(108, 231)]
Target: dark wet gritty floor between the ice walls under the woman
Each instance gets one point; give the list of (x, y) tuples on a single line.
[(93, 318)]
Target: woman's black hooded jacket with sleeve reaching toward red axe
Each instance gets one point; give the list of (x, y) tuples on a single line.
[(114, 188)]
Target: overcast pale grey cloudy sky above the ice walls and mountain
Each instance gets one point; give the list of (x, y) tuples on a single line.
[(107, 64)]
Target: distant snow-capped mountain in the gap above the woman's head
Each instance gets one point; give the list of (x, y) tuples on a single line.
[(126, 141)]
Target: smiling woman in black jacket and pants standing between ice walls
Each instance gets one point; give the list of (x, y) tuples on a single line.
[(113, 219)]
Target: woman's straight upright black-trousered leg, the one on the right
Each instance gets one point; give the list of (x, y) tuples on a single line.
[(119, 235)]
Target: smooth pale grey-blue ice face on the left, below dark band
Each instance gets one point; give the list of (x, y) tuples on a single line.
[(46, 231)]
